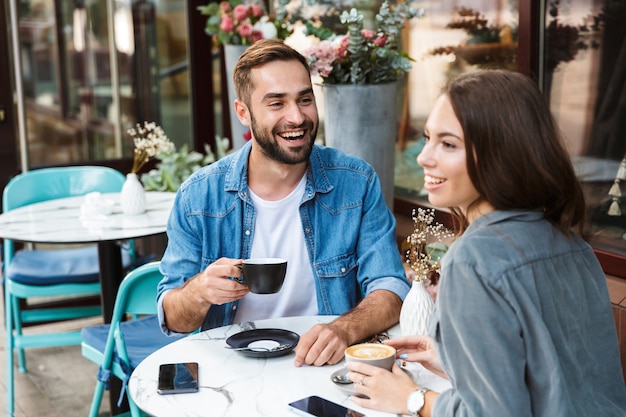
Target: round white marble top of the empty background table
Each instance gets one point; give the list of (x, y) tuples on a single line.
[(61, 220)]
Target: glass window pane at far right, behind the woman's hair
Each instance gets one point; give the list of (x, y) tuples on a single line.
[(584, 78)]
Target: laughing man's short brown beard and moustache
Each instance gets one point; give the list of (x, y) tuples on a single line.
[(273, 150)]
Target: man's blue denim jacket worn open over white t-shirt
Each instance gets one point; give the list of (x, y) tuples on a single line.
[(349, 231)]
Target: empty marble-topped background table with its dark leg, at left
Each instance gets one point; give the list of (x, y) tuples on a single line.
[(60, 222)]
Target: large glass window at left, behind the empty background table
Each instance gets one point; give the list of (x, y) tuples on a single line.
[(80, 97)]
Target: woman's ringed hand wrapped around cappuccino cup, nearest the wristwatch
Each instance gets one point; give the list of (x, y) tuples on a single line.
[(387, 391)]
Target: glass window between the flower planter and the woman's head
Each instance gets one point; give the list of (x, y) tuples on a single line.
[(453, 37)]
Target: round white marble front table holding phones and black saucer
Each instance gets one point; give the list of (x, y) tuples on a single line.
[(235, 385)]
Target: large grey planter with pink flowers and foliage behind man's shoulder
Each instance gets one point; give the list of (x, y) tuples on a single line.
[(360, 69)]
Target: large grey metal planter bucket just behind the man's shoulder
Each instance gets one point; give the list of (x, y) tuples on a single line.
[(362, 120)]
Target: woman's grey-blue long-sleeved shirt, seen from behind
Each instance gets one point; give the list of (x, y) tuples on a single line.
[(523, 324)]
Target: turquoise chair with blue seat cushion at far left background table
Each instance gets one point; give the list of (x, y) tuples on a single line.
[(47, 273)]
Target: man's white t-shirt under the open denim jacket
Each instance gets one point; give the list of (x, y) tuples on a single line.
[(278, 234)]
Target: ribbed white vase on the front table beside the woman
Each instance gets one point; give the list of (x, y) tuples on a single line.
[(416, 310)]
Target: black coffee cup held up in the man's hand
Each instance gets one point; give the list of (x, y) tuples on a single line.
[(263, 275)]
